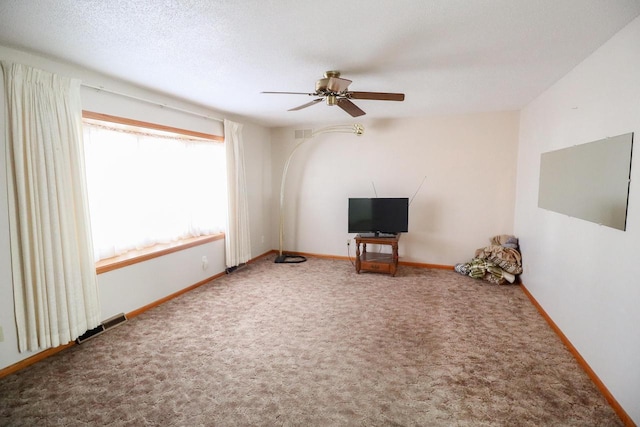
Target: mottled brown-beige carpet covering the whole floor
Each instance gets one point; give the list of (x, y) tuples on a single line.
[(315, 344)]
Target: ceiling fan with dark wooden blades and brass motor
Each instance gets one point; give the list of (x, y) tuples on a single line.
[(333, 89)]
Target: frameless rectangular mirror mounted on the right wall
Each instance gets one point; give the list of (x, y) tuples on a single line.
[(589, 181)]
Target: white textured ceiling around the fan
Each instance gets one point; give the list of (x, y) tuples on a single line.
[(447, 56)]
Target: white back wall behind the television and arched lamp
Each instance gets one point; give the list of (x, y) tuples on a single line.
[(469, 162)]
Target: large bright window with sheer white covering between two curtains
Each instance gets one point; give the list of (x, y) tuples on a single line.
[(149, 186)]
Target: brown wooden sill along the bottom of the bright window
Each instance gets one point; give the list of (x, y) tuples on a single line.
[(134, 257)]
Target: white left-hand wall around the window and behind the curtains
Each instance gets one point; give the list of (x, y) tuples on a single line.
[(135, 286)]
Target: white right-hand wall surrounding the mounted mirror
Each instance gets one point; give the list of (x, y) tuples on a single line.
[(585, 276)]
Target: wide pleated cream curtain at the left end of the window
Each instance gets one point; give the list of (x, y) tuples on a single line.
[(54, 277)]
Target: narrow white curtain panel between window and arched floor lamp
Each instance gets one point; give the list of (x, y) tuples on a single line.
[(237, 239)]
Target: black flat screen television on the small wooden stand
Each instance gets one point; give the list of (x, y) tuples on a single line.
[(378, 216)]
